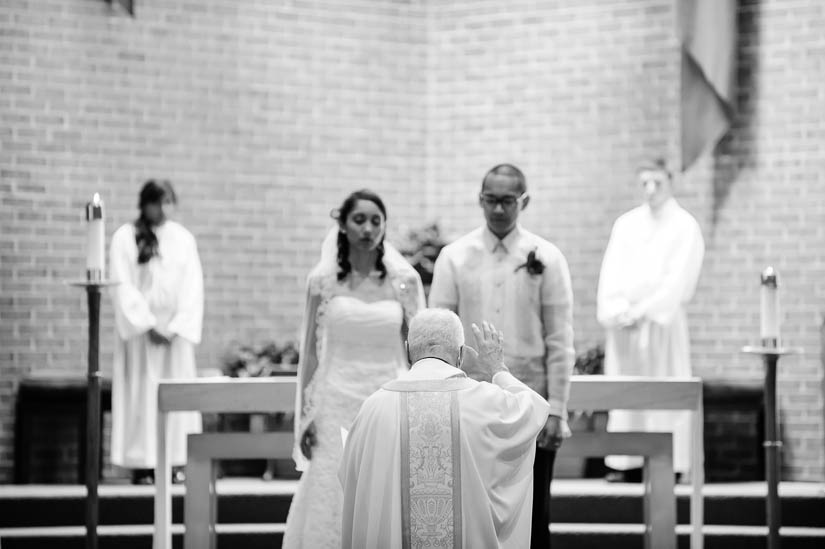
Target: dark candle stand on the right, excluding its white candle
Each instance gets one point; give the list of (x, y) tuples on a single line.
[(770, 350)]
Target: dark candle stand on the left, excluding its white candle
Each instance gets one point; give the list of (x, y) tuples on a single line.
[(93, 291)]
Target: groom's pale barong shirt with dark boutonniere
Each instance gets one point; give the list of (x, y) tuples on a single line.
[(482, 277)]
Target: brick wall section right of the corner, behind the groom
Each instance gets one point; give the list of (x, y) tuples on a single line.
[(576, 93)]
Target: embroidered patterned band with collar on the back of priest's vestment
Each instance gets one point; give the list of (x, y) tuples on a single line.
[(430, 462)]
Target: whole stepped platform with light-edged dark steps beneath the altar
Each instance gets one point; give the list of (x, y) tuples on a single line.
[(252, 513)]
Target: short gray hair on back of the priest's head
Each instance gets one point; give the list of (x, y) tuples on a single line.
[(435, 333)]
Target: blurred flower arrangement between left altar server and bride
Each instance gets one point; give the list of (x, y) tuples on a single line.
[(241, 360)]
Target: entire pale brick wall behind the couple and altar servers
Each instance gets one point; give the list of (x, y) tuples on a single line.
[(265, 114)]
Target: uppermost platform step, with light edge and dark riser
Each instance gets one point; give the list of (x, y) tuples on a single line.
[(250, 500)]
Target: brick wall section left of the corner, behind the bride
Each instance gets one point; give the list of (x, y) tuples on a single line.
[(264, 115)]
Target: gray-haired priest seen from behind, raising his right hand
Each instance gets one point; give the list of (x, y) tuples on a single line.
[(443, 456)]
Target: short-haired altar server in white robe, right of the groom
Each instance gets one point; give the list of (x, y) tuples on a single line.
[(648, 276)]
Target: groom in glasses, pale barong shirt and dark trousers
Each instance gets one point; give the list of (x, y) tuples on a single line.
[(521, 283)]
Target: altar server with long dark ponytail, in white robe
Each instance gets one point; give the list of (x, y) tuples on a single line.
[(158, 304)]
